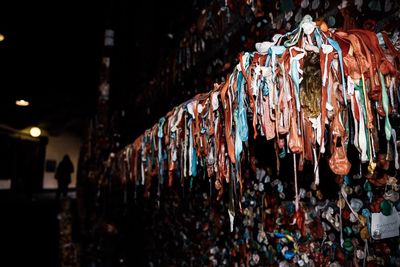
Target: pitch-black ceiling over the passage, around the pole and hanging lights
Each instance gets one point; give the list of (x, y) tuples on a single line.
[(52, 51)]
